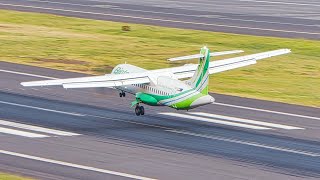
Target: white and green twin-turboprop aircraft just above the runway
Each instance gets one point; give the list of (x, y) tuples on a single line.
[(165, 87)]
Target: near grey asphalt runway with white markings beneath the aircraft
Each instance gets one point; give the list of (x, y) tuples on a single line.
[(52, 133)]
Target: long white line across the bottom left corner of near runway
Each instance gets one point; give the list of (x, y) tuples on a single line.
[(74, 165)]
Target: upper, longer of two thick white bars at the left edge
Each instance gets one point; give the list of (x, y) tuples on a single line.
[(36, 128)]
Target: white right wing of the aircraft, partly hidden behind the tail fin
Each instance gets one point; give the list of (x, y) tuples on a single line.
[(187, 71)]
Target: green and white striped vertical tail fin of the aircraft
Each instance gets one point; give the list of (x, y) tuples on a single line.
[(200, 79)]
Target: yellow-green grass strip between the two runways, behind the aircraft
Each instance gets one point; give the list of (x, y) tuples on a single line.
[(95, 47)]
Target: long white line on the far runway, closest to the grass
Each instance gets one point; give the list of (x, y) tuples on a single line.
[(161, 20)]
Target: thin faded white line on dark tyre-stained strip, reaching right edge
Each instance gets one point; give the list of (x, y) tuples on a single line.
[(255, 144)]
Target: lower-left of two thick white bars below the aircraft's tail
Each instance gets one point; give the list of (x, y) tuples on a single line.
[(216, 121)]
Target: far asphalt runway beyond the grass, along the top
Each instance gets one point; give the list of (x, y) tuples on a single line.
[(280, 18)]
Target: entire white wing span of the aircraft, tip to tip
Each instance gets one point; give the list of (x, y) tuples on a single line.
[(114, 80)]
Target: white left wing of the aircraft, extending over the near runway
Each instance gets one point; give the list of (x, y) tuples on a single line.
[(109, 80)]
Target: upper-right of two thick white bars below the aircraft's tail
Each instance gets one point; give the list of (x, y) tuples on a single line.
[(281, 126)]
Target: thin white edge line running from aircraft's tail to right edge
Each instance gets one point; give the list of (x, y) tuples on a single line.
[(268, 111)]
